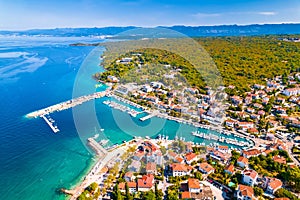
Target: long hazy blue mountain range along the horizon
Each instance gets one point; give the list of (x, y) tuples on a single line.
[(222, 30)]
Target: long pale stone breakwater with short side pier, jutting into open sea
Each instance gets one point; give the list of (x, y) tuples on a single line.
[(44, 113)]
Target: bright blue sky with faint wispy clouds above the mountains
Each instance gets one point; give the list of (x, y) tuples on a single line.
[(31, 14)]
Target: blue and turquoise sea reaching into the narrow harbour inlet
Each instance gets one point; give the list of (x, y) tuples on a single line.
[(39, 71)]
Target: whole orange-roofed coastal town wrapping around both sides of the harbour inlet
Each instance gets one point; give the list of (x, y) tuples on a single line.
[(175, 169)]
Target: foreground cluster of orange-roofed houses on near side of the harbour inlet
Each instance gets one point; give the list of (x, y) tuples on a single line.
[(174, 169)]
